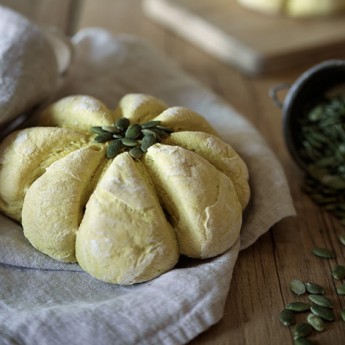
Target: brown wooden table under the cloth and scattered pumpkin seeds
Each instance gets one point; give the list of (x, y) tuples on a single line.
[(259, 288)]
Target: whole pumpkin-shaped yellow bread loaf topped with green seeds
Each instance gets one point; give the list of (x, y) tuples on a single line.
[(124, 193)]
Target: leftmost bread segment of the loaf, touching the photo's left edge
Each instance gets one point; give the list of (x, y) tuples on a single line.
[(24, 156)]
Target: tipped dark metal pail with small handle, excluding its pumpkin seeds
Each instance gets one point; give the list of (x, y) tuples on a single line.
[(309, 89)]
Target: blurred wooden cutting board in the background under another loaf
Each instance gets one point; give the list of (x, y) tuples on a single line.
[(254, 42)]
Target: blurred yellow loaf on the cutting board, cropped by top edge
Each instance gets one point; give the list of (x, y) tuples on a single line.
[(296, 8)]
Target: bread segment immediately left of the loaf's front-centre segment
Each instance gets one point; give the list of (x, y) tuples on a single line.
[(54, 203)]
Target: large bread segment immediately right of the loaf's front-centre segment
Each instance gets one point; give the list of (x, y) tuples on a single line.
[(201, 201)]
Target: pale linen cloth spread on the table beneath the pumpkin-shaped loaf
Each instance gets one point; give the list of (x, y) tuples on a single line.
[(43, 302)]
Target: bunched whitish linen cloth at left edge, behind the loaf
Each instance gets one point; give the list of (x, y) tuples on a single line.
[(28, 67)]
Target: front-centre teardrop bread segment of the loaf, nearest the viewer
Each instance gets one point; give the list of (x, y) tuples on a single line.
[(124, 237)]
